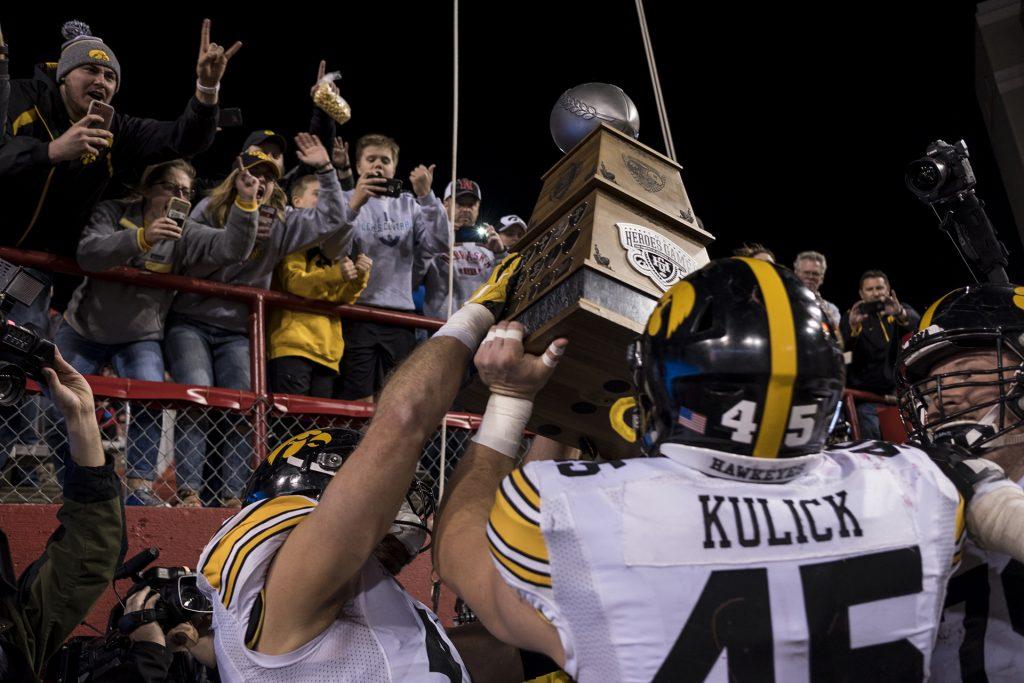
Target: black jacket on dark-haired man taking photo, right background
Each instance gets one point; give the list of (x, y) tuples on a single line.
[(875, 348)]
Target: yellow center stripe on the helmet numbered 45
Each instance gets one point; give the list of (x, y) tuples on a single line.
[(783, 343)]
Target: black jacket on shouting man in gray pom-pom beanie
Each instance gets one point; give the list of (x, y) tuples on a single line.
[(46, 206)]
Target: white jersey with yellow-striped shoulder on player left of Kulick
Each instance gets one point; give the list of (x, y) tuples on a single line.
[(385, 634)]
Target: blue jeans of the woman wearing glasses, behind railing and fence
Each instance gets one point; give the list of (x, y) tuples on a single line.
[(137, 361)]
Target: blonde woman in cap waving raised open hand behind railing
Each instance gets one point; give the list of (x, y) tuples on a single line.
[(207, 339)]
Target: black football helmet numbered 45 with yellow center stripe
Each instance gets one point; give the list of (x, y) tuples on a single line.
[(738, 358)]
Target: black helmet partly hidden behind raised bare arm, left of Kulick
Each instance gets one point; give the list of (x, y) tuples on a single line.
[(306, 464)]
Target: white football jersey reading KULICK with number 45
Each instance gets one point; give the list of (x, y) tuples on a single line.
[(703, 566)]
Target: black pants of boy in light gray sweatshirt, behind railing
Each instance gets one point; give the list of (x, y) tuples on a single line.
[(372, 351)]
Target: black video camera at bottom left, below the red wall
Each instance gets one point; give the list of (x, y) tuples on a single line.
[(90, 659)]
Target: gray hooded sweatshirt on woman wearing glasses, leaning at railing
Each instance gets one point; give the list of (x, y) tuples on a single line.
[(111, 313)]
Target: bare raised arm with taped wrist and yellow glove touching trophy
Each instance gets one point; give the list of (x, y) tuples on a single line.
[(313, 574)]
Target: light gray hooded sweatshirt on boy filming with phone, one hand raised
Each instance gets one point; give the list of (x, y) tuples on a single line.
[(397, 233)]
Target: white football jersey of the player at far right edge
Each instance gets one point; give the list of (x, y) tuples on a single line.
[(982, 637)]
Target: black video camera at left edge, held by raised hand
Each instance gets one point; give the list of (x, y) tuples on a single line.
[(23, 353)]
